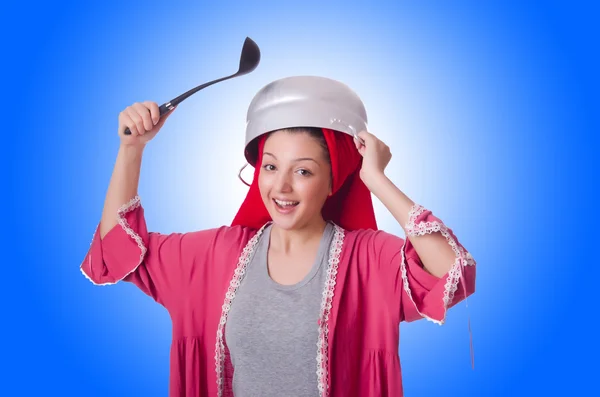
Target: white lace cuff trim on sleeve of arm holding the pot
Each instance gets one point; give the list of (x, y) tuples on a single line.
[(463, 258)]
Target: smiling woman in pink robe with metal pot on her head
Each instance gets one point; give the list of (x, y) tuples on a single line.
[(301, 295)]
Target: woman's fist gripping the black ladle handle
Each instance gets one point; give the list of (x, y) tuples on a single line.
[(143, 120)]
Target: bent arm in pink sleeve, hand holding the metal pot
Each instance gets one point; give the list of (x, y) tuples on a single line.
[(435, 269)]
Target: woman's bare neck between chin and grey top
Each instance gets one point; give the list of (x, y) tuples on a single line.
[(293, 240)]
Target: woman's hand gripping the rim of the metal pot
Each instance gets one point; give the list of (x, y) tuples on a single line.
[(376, 156)]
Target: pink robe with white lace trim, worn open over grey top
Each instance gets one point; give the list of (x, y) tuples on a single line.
[(375, 281)]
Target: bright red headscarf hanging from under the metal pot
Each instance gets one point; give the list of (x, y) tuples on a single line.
[(350, 206)]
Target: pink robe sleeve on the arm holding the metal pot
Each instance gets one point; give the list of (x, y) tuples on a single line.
[(421, 294)]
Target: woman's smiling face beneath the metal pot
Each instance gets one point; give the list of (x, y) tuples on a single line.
[(294, 179)]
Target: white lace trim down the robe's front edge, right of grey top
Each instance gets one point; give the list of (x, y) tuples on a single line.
[(326, 304)]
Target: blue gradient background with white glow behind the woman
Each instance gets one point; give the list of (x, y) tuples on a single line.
[(491, 112)]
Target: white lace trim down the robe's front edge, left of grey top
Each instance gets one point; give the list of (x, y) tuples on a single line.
[(234, 284)]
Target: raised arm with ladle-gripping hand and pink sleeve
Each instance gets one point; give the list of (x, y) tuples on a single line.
[(122, 247)]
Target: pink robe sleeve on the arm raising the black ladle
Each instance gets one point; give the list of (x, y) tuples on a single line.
[(161, 265)]
